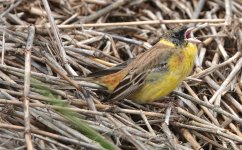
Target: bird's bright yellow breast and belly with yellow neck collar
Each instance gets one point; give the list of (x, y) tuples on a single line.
[(180, 65)]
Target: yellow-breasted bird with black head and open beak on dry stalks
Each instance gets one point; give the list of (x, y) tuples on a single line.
[(154, 73)]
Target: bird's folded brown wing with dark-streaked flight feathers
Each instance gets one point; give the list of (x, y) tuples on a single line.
[(138, 70)]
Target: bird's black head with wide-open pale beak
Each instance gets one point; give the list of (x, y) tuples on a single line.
[(181, 36)]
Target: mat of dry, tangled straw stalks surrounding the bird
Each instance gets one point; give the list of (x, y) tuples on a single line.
[(48, 47)]
